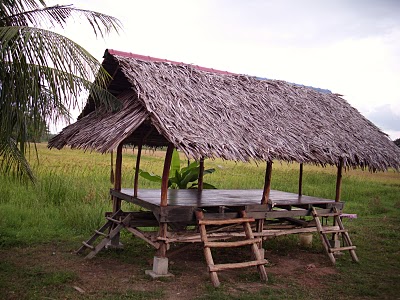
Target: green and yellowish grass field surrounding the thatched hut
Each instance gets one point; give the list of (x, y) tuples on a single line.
[(71, 196)]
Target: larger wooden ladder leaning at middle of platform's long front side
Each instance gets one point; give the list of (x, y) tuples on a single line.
[(250, 240)]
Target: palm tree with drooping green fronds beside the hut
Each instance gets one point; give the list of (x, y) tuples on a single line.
[(42, 73)]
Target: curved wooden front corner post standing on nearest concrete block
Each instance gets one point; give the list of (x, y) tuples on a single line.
[(162, 251)]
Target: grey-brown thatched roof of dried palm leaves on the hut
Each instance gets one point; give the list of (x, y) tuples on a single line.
[(210, 113)]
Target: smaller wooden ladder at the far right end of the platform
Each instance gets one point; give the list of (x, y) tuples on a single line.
[(332, 249)]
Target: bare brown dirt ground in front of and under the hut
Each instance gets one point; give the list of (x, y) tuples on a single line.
[(112, 272)]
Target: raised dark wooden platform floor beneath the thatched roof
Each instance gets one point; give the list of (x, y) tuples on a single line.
[(182, 204)]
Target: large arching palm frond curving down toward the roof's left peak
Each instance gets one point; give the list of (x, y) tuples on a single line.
[(60, 63)]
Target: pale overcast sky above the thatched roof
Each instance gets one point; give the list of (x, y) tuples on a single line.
[(351, 47)]
